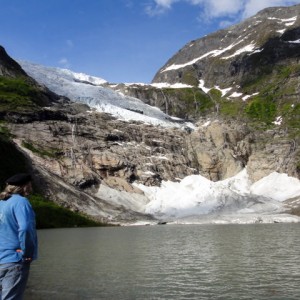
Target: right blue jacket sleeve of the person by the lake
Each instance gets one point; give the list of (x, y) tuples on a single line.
[(26, 229)]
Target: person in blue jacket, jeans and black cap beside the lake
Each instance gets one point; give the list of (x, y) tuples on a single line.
[(18, 238)]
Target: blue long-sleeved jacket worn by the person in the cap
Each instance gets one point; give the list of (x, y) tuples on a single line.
[(17, 230)]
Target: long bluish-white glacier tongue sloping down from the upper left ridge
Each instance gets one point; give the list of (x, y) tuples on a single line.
[(85, 89)]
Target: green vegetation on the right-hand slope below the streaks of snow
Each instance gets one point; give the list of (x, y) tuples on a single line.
[(277, 88)]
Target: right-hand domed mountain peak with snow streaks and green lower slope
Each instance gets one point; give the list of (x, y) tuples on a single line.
[(251, 68)]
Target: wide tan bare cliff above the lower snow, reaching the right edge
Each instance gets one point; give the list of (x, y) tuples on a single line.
[(222, 149)]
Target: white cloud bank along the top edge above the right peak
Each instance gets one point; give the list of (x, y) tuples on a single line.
[(211, 9)]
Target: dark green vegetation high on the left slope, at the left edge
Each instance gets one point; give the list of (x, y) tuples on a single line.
[(16, 94)]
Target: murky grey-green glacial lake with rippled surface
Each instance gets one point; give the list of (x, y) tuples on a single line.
[(259, 261)]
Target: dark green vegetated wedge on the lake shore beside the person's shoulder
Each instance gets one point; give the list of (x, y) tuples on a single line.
[(51, 215)]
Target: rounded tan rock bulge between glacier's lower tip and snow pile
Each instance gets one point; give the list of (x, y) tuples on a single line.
[(221, 150)]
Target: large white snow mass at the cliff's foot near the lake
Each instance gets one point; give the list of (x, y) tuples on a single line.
[(195, 196)]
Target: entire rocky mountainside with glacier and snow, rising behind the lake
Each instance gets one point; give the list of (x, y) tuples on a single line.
[(204, 141)]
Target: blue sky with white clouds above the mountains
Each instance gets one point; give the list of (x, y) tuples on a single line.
[(117, 40)]
